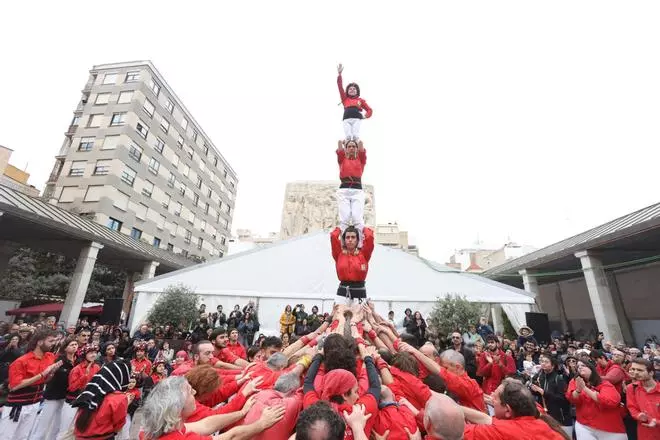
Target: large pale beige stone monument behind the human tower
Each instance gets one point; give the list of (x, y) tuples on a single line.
[(310, 206)]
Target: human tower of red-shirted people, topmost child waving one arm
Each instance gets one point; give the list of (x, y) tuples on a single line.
[(351, 242)]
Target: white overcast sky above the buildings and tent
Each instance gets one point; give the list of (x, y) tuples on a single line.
[(516, 119)]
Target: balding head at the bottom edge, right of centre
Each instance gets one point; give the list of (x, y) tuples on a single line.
[(443, 418)]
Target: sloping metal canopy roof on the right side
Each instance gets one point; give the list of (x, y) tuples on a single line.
[(632, 238)]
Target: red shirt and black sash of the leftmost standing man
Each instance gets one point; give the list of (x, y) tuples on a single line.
[(25, 367)]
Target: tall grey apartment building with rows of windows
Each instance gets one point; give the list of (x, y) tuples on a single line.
[(134, 159)]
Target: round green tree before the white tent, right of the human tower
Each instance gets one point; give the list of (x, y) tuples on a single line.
[(453, 313)]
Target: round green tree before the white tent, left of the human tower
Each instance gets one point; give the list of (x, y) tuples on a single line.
[(177, 305)]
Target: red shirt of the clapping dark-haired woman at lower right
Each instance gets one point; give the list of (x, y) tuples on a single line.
[(604, 414)]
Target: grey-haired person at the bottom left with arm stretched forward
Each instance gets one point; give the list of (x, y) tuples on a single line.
[(173, 399)]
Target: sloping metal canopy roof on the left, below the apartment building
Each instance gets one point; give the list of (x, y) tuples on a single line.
[(32, 222)]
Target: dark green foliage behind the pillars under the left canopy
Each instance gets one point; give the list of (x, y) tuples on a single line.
[(33, 275)]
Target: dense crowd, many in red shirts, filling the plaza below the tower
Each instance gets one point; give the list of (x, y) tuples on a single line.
[(347, 374)]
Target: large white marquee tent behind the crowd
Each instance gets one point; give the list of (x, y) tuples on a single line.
[(301, 271)]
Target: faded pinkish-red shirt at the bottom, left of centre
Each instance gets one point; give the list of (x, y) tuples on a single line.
[(281, 430)]
